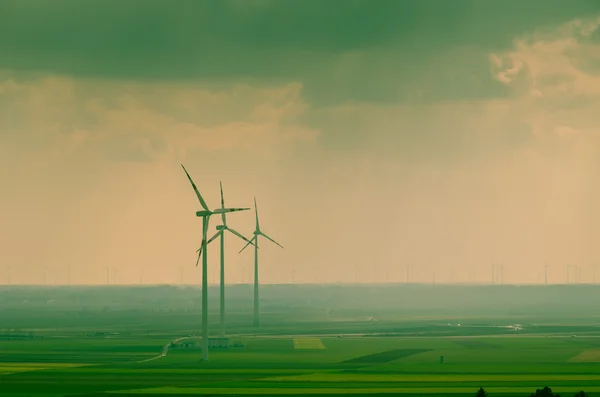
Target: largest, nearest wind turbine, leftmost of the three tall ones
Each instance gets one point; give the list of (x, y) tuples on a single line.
[(205, 215)]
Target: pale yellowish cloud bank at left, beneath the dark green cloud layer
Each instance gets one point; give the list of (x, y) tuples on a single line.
[(150, 121)]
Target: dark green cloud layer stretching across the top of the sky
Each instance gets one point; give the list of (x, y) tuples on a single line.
[(255, 41)]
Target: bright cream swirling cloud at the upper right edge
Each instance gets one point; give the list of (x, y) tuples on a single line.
[(554, 84)]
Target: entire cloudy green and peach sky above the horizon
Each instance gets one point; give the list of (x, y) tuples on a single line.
[(435, 135)]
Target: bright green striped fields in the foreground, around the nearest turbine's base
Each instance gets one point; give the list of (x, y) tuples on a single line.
[(507, 365)]
